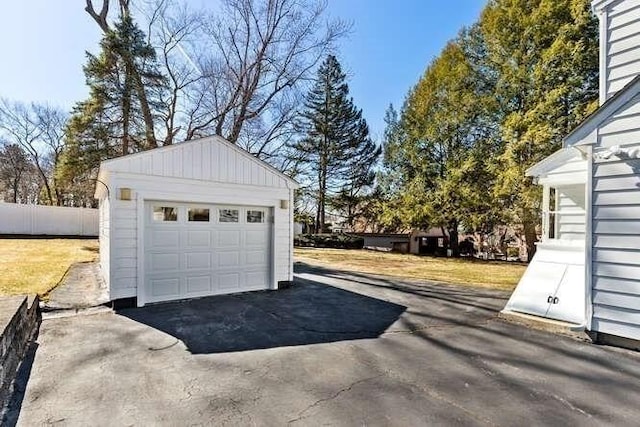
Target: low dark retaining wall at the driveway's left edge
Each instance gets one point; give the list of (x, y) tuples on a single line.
[(19, 322)]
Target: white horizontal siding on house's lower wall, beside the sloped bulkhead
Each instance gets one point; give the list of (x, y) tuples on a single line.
[(616, 228)]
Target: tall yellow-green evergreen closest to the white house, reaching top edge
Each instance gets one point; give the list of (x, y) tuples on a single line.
[(545, 54)]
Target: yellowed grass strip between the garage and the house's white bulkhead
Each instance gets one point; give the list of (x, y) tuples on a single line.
[(492, 274)]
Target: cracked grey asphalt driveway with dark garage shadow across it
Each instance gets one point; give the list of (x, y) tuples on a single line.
[(336, 349)]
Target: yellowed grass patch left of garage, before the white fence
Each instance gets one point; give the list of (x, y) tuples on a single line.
[(29, 266)]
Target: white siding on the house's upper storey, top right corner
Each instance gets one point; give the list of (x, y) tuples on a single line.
[(620, 44)]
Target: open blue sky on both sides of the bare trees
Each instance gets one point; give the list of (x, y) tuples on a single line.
[(42, 45)]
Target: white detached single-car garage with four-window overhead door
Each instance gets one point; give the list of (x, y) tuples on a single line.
[(194, 219)]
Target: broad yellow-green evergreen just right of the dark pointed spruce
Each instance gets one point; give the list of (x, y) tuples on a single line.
[(438, 150)]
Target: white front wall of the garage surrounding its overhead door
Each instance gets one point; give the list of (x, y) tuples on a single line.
[(127, 222)]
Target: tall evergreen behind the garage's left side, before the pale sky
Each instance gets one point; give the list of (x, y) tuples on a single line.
[(112, 121)]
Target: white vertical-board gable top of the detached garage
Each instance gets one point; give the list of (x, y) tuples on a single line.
[(207, 159)]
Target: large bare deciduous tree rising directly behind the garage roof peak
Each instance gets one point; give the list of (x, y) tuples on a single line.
[(266, 51)]
